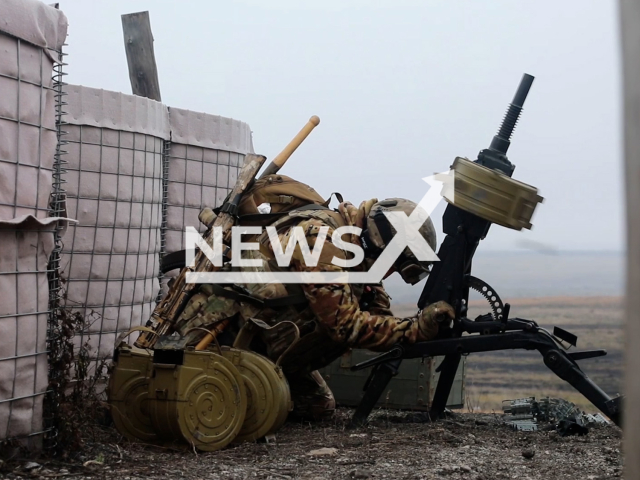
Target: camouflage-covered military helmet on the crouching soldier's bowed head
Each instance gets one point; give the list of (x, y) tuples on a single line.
[(378, 232)]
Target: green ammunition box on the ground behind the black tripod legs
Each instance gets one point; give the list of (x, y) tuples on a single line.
[(411, 389)]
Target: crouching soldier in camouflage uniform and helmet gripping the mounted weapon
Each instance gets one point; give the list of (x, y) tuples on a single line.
[(331, 318)]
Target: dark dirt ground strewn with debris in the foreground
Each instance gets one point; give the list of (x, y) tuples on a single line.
[(465, 446)]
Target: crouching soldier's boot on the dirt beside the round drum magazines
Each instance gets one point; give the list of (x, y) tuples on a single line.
[(312, 398)]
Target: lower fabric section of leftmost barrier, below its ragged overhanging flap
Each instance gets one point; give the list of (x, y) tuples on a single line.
[(26, 243)]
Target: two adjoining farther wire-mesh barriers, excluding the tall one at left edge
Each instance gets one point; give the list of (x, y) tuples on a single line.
[(133, 191)]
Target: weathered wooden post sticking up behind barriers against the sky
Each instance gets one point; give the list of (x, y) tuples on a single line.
[(138, 43)]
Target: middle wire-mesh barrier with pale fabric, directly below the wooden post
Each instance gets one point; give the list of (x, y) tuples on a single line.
[(114, 173)]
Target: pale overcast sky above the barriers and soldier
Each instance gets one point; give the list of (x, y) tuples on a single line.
[(402, 88)]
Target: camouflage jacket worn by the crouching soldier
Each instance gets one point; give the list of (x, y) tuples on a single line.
[(335, 317)]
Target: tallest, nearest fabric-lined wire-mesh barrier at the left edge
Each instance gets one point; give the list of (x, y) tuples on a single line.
[(31, 39)]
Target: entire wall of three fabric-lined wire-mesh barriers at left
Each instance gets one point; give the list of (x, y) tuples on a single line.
[(108, 160)]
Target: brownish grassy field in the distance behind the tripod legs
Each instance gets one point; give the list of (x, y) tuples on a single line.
[(496, 376)]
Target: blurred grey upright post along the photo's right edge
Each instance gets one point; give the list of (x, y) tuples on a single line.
[(630, 33)]
